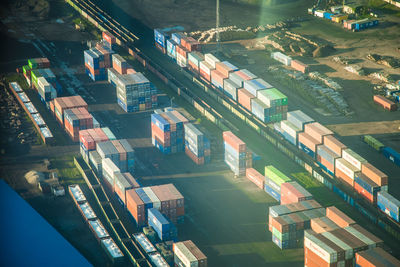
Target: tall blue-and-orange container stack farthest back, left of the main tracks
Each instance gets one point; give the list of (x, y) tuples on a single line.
[(97, 60)]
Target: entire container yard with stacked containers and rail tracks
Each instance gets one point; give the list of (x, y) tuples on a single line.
[(162, 136)]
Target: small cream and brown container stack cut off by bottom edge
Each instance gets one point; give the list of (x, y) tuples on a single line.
[(186, 253)]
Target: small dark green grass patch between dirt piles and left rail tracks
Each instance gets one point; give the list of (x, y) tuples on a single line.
[(67, 171)]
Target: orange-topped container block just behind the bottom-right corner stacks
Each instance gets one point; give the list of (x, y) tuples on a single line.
[(288, 222)]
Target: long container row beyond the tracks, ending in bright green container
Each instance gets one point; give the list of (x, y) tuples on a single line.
[(256, 95)]
